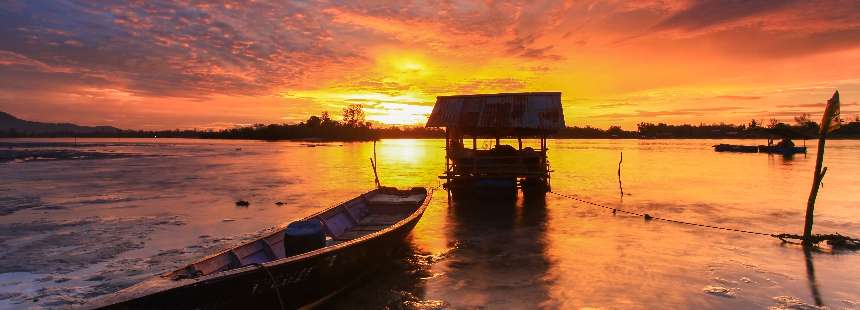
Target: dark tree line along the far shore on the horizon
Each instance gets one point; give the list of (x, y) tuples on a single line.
[(353, 126)]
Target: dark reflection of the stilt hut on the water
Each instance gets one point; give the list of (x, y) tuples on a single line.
[(501, 252)]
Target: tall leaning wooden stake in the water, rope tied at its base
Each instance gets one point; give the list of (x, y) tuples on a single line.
[(829, 122)]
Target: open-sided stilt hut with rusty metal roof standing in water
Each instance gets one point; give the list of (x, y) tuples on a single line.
[(497, 118)]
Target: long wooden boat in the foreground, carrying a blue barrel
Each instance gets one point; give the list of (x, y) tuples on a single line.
[(262, 274)]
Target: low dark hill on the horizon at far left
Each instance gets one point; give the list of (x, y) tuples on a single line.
[(11, 126)]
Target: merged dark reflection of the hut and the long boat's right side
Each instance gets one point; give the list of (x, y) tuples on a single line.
[(499, 250)]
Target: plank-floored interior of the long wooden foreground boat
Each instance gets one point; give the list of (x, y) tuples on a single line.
[(361, 216)]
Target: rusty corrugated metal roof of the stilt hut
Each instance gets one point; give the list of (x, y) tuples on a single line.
[(530, 111)]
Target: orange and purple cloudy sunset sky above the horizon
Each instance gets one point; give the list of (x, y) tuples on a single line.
[(160, 65)]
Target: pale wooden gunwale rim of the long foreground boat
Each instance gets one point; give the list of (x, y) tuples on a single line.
[(167, 284)]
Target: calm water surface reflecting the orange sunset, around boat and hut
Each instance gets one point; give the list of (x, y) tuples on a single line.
[(74, 229)]
